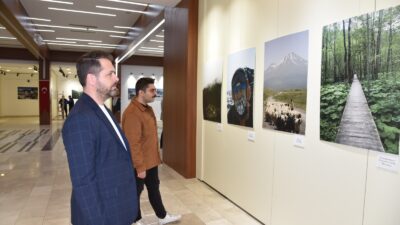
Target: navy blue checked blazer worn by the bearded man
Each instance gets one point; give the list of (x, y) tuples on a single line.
[(101, 169)]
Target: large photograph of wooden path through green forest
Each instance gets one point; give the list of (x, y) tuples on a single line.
[(360, 81)]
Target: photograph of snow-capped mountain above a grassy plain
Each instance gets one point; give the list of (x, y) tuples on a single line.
[(285, 83)]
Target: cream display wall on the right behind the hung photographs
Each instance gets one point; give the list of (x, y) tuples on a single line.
[(280, 184)]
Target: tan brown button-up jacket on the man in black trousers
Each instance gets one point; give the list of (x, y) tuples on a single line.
[(140, 127)]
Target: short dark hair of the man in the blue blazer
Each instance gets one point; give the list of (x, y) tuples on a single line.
[(89, 63)]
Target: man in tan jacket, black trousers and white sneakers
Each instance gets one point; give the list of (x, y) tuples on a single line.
[(140, 127)]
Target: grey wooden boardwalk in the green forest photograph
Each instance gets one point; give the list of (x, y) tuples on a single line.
[(357, 127)]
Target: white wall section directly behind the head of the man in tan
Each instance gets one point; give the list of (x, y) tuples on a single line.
[(129, 76)]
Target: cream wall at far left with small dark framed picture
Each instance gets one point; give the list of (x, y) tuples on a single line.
[(10, 104)]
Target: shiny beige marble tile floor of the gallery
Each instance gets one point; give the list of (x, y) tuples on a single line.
[(35, 185)]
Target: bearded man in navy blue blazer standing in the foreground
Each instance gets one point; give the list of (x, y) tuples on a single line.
[(102, 174)]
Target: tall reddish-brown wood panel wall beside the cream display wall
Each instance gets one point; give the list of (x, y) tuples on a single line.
[(180, 75)]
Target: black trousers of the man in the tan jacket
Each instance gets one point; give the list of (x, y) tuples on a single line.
[(152, 183)]
